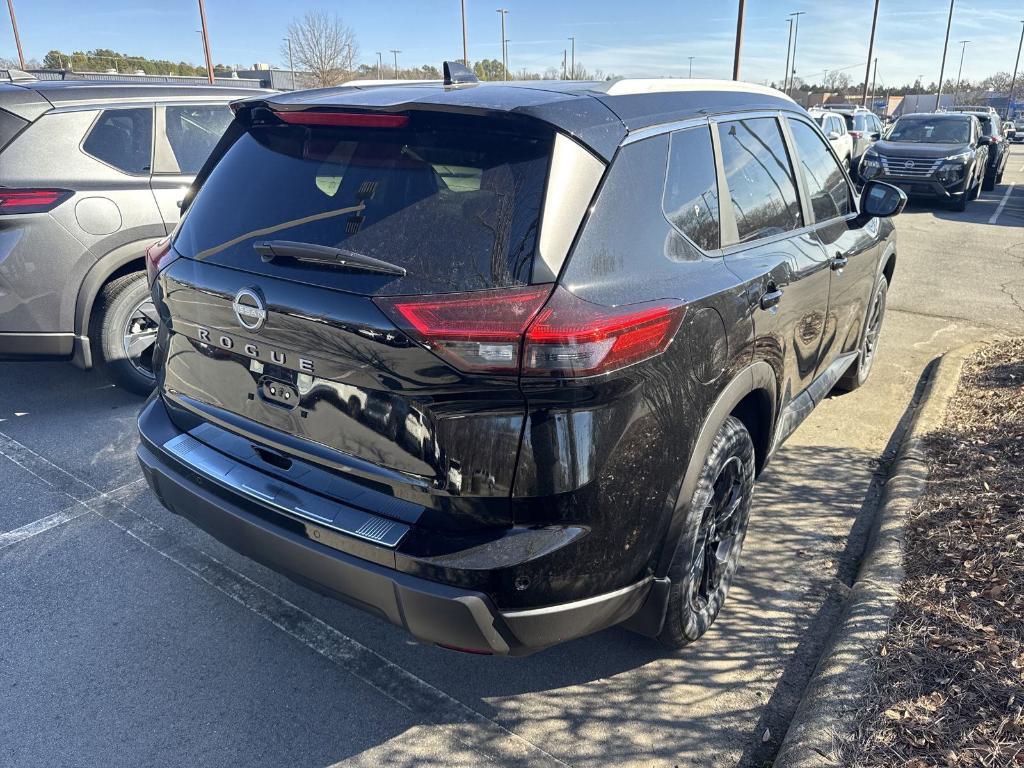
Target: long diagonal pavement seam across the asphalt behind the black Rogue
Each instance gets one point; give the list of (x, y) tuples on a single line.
[(468, 727)]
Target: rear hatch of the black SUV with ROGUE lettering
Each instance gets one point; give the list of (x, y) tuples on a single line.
[(313, 239)]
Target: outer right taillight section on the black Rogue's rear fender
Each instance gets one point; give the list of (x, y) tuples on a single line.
[(573, 337)]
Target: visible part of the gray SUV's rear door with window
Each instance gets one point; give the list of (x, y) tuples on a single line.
[(186, 135)]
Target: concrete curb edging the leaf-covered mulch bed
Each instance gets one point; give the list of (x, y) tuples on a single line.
[(826, 717)]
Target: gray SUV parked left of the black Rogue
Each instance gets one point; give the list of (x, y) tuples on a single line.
[(92, 175)]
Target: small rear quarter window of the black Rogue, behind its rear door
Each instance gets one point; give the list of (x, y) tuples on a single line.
[(691, 200)]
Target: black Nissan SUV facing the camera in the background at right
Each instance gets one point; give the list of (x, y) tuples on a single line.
[(941, 155)]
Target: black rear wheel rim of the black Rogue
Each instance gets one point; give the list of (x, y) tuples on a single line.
[(719, 534)]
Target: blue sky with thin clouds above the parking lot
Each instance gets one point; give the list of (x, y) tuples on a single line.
[(636, 38)]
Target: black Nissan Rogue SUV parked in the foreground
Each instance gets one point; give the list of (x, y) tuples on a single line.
[(500, 363)]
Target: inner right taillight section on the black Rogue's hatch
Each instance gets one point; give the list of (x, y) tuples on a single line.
[(480, 331)]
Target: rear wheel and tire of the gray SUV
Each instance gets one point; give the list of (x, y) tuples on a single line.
[(123, 330)]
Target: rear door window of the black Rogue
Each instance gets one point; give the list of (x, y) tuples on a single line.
[(760, 179)]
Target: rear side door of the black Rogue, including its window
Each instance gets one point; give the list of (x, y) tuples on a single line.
[(772, 248)]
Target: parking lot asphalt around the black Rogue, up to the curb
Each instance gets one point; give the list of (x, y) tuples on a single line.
[(129, 637)]
